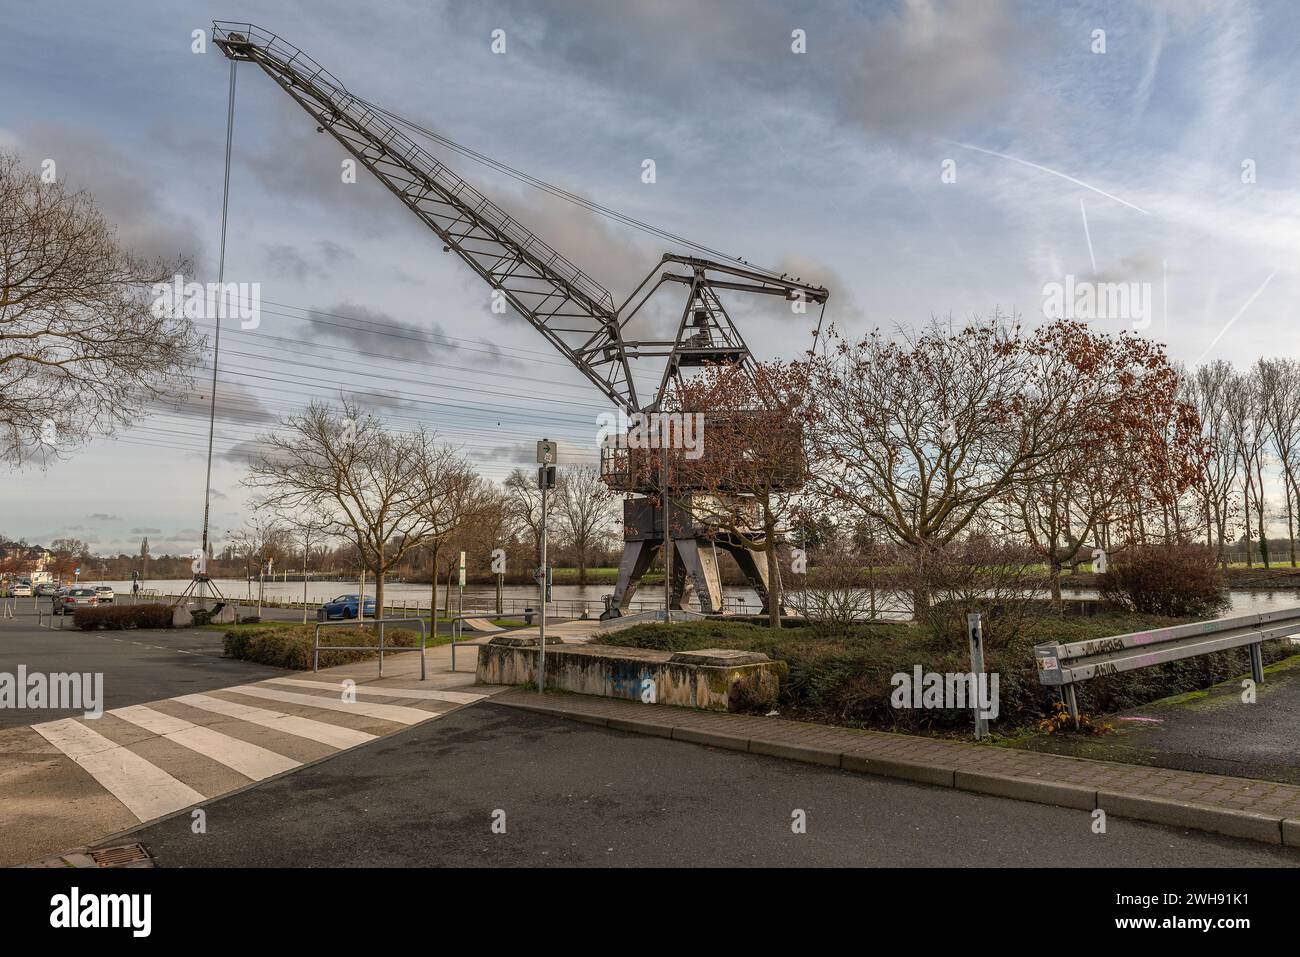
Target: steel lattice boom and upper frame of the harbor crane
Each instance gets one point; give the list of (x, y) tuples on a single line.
[(571, 310)]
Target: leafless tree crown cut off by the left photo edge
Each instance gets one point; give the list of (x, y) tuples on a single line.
[(83, 350)]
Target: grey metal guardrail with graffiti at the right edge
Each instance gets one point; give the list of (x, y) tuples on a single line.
[(1067, 665)]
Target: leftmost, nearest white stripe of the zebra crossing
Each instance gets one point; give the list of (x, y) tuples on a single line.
[(146, 790)]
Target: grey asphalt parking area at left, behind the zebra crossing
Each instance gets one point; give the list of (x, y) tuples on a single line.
[(138, 666)]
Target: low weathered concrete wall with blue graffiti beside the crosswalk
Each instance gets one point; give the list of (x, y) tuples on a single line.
[(716, 679)]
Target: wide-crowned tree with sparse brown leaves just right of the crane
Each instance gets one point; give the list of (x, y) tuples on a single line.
[(926, 435)]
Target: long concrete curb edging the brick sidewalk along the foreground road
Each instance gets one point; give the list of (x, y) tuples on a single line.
[(1236, 824)]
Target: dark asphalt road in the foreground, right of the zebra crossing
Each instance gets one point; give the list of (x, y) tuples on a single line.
[(575, 795)]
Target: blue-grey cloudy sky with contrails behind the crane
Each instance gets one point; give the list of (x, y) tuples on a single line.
[(920, 158)]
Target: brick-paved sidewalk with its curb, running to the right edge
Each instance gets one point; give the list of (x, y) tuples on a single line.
[(1237, 807)]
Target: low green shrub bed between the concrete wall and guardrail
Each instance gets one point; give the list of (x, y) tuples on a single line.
[(843, 675)]
